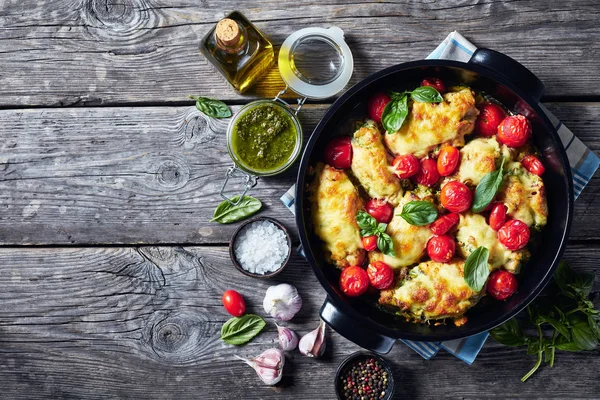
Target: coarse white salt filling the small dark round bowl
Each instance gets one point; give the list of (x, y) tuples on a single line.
[(261, 247)]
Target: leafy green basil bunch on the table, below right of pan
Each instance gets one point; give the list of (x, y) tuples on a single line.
[(564, 318)]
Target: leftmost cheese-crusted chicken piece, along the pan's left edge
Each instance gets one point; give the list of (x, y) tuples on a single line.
[(334, 204)]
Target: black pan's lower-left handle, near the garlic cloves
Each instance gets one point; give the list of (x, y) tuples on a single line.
[(354, 330)]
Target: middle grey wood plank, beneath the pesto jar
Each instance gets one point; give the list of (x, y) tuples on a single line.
[(152, 175)]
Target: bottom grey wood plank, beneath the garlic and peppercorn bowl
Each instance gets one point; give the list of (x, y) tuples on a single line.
[(144, 323)]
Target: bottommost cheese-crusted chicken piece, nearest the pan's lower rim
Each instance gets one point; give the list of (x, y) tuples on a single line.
[(432, 290)]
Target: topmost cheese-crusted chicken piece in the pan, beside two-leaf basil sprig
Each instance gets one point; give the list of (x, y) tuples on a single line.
[(430, 124)]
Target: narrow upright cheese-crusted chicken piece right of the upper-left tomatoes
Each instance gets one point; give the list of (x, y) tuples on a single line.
[(370, 165)]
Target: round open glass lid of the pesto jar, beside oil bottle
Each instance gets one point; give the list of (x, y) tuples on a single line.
[(316, 62)]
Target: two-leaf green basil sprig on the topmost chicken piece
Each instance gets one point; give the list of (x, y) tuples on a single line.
[(396, 111)]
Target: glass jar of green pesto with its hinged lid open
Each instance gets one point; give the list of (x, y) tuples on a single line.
[(264, 138)]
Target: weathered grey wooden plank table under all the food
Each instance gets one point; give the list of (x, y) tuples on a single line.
[(110, 271)]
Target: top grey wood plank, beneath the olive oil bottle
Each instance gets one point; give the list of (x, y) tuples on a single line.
[(139, 51)]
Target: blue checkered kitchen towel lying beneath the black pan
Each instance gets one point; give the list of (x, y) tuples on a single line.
[(584, 164)]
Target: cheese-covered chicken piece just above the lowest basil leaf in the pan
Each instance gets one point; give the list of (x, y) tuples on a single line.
[(473, 231)]
